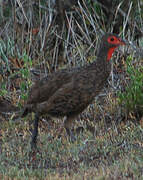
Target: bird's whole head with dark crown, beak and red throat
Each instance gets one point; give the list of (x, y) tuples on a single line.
[(111, 42)]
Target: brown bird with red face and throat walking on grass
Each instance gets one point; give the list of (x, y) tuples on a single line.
[(66, 93)]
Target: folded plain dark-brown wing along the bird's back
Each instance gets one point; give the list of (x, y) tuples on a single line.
[(42, 90)]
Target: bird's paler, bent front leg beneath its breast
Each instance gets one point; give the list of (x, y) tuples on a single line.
[(67, 125)]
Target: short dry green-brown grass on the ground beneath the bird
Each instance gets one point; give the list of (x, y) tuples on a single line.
[(112, 155)]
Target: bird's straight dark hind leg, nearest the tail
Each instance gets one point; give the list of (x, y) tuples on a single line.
[(35, 131)]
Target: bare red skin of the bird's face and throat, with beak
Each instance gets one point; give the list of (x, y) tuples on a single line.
[(114, 42)]
